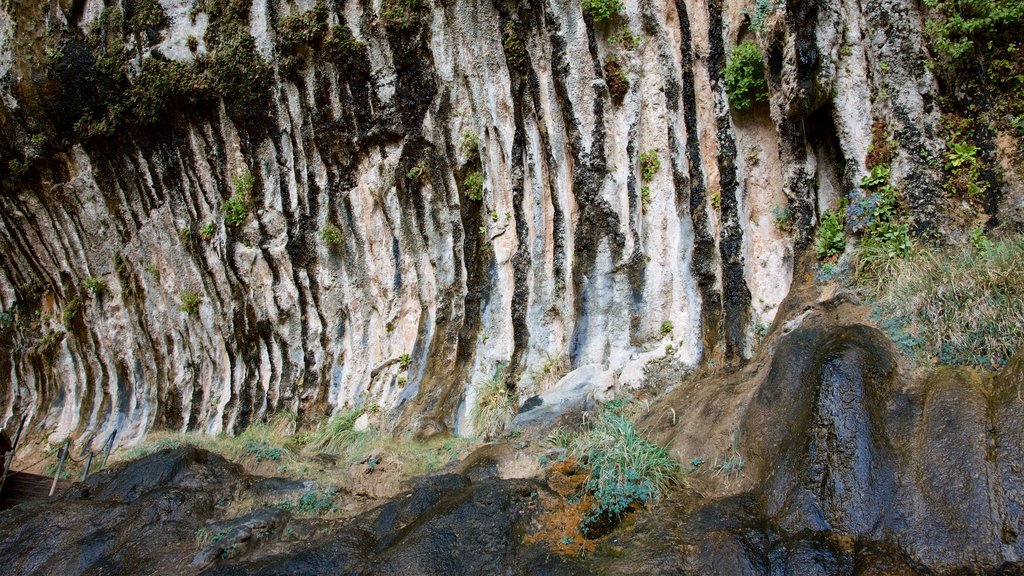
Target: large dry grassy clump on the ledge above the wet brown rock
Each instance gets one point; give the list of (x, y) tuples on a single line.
[(961, 306)]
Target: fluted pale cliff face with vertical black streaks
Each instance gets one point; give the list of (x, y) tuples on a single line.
[(278, 202)]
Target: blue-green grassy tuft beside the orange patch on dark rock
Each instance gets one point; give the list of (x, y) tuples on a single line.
[(626, 470)]
